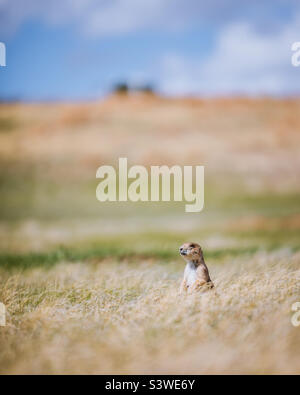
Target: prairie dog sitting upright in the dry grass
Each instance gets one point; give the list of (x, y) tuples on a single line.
[(196, 273)]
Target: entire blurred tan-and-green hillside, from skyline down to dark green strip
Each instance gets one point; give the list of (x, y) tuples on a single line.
[(49, 154)]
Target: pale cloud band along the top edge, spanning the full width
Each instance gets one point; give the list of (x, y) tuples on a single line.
[(110, 17)]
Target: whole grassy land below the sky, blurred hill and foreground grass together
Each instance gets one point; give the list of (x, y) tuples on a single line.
[(93, 288)]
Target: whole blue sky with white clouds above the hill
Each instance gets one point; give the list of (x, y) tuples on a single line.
[(76, 50)]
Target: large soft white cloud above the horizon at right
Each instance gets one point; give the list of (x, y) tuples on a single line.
[(243, 61)]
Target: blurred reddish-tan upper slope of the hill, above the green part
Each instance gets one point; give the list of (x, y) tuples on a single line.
[(257, 140)]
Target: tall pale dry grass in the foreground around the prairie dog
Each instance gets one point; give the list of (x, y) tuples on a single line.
[(128, 318)]
